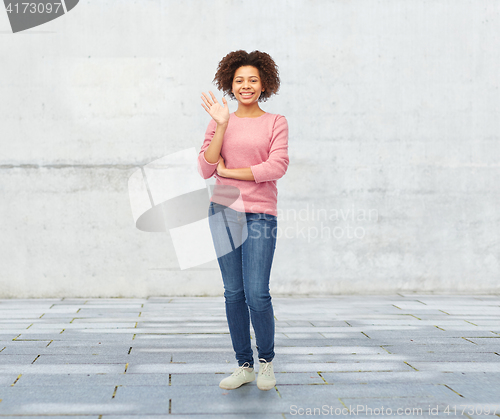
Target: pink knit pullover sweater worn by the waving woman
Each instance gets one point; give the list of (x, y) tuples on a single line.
[(259, 143)]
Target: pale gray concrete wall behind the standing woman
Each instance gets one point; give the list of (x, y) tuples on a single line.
[(394, 143)]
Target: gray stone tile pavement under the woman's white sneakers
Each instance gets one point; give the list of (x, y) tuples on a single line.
[(403, 355)]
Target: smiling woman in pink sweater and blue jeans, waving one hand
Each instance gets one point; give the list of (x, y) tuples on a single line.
[(247, 152)]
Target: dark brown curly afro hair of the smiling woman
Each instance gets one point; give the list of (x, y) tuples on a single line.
[(268, 71)]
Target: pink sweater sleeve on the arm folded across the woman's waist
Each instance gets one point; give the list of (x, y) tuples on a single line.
[(277, 163)]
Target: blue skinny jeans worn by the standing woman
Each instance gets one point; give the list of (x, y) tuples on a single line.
[(244, 244)]
